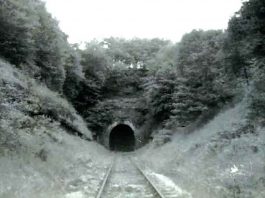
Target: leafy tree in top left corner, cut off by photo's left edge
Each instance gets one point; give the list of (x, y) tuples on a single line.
[(16, 27)]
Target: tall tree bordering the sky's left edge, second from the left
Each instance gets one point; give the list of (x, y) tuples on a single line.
[(51, 47)]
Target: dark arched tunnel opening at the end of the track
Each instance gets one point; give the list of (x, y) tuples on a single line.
[(122, 138)]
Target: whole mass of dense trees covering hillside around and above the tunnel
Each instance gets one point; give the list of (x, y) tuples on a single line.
[(172, 85)]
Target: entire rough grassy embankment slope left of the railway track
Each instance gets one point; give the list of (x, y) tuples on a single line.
[(39, 152)]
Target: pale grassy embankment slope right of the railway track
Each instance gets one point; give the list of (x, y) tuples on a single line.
[(225, 158)]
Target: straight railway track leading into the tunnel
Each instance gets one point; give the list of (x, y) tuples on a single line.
[(125, 178)]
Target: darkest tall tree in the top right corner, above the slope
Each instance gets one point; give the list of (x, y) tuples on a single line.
[(246, 37)]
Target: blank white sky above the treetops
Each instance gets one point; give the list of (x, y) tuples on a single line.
[(84, 20)]
